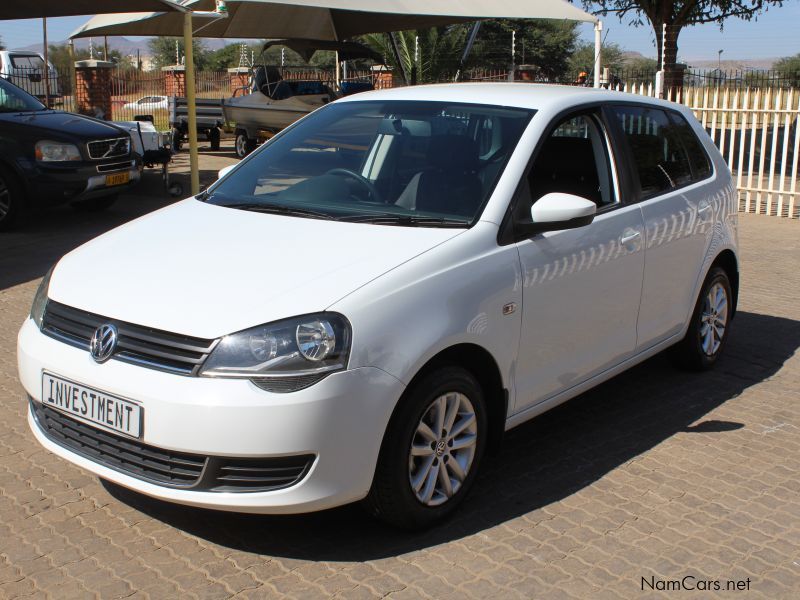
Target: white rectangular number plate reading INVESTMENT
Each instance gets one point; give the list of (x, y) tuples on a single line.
[(92, 406)]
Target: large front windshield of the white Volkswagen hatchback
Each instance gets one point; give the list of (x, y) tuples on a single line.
[(399, 162)]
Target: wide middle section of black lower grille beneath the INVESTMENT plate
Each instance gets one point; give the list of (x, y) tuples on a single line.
[(121, 454)]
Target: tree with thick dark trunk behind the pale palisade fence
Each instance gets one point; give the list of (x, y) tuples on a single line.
[(677, 14)]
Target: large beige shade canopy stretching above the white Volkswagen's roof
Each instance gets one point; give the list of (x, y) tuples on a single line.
[(328, 19)]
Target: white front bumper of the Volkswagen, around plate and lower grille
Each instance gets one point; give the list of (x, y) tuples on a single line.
[(340, 420)]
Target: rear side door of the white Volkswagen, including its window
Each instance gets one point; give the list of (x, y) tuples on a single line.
[(670, 171)]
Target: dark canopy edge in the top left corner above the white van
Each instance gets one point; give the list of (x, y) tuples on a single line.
[(37, 9)]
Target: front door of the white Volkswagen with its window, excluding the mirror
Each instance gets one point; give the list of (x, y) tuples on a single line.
[(581, 287)]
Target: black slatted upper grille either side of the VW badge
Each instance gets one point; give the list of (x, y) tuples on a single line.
[(144, 346)]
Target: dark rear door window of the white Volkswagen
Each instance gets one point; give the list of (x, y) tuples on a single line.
[(659, 156)]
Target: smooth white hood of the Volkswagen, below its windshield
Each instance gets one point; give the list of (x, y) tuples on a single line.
[(207, 271)]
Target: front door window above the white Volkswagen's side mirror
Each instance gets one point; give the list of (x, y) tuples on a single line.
[(574, 159)]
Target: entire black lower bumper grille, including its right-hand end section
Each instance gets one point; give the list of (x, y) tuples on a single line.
[(168, 468)]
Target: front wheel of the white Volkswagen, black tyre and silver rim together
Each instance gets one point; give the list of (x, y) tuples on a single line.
[(431, 451)]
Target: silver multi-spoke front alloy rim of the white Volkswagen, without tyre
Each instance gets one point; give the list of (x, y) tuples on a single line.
[(442, 449)]
